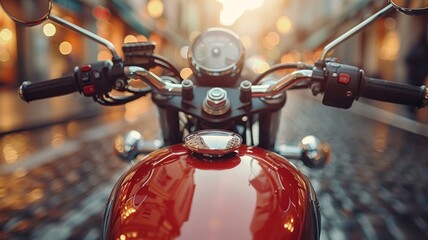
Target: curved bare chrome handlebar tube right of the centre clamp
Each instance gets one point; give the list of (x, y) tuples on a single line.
[(282, 84)]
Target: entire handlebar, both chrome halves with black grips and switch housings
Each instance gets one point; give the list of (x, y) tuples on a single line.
[(340, 83)]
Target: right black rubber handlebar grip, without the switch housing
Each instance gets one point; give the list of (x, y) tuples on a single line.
[(393, 92)]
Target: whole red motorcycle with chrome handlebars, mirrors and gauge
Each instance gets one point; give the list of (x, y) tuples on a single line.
[(214, 174)]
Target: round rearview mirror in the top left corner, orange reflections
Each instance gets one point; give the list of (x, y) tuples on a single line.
[(27, 12)]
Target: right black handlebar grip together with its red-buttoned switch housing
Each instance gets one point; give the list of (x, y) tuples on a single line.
[(342, 84)]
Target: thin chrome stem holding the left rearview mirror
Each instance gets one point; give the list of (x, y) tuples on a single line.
[(87, 33)]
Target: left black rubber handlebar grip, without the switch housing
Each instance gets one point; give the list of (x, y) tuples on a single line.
[(46, 89)]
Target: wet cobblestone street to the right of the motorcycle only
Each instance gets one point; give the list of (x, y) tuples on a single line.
[(376, 186)]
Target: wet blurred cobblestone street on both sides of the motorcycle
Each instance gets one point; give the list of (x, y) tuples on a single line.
[(55, 181)]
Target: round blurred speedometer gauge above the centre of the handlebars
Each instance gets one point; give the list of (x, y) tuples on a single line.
[(217, 53)]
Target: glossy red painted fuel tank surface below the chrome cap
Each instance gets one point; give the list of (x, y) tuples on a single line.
[(172, 194)]
